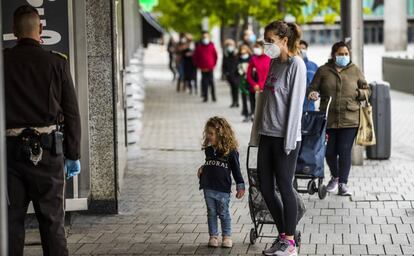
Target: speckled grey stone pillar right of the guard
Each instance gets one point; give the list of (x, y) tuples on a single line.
[(105, 119)]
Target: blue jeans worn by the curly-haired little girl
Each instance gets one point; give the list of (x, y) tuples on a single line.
[(218, 204)]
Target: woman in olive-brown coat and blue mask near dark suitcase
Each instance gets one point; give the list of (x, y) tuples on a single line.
[(342, 80)]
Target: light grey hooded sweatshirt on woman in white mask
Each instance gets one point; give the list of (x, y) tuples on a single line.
[(284, 94)]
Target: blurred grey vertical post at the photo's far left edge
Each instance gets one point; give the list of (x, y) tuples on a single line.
[(3, 204)]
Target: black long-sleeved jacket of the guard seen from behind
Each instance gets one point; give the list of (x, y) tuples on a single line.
[(39, 87)]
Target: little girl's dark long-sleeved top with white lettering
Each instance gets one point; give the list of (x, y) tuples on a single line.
[(217, 170)]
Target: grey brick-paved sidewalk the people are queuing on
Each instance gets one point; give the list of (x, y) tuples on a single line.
[(162, 212)]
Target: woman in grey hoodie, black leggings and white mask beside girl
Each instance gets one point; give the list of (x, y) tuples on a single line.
[(280, 130)]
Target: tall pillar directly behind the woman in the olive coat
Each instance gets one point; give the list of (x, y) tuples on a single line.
[(352, 26)]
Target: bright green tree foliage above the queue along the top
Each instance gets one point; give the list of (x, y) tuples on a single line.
[(186, 15)]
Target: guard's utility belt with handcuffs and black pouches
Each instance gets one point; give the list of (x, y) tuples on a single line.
[(30, 142)]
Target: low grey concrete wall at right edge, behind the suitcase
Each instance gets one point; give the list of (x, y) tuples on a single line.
[(399, 73)]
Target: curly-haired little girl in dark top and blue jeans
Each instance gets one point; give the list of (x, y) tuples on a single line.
[(222, 159)]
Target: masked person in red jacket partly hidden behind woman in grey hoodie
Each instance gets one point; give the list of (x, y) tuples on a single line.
[(257, 72)]
